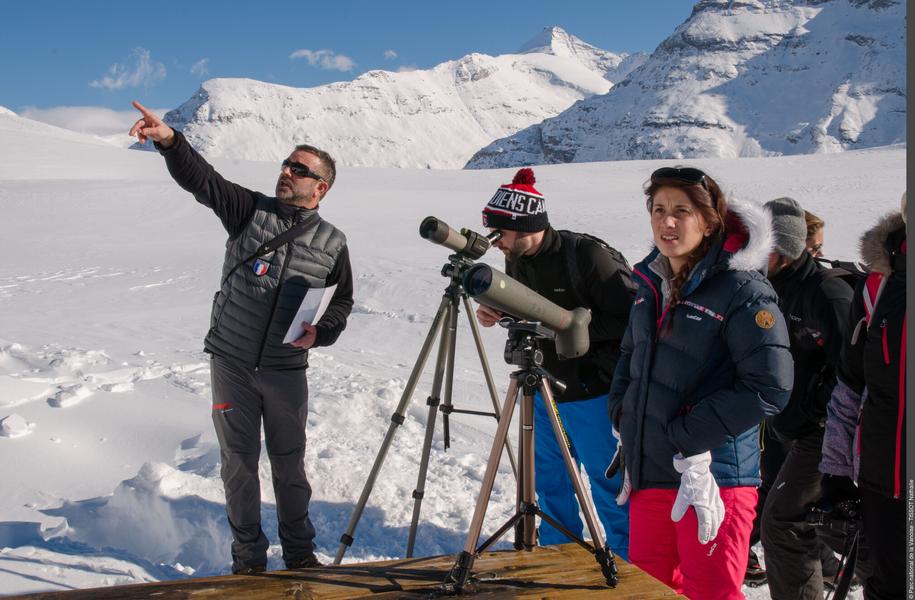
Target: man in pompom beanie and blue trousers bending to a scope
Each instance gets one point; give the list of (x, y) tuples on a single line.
[(571, 270)]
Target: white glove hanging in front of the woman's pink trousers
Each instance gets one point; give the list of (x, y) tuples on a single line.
[(699, 490)]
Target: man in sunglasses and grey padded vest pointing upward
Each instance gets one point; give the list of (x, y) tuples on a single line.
[(256, 377)]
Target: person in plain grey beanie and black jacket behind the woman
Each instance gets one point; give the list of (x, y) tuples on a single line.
[(815, 304)]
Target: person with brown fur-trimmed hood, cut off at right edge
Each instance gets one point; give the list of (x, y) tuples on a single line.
[(865, 439)]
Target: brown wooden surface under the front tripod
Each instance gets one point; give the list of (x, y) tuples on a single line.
[(565, 571)]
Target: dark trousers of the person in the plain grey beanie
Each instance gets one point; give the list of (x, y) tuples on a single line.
[(791, 545)]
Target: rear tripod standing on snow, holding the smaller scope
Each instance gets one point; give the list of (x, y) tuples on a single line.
[(445, 325)]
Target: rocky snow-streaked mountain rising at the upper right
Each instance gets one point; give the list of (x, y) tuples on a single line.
[(741, 78)]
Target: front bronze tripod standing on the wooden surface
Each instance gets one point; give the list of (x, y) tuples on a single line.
[(522, 349)]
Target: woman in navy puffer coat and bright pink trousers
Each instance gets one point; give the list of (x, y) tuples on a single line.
[(705, 358)]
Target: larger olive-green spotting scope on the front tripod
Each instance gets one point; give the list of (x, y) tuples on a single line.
[(494, 288)]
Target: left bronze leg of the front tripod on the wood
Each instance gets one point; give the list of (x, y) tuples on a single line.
[(460, 572)]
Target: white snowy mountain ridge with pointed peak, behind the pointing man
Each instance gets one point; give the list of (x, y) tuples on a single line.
[(435, 118)]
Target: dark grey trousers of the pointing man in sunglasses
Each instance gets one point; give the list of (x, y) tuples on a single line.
[(242, 398)]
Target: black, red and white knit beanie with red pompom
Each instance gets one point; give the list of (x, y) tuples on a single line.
[(517, 206)]
